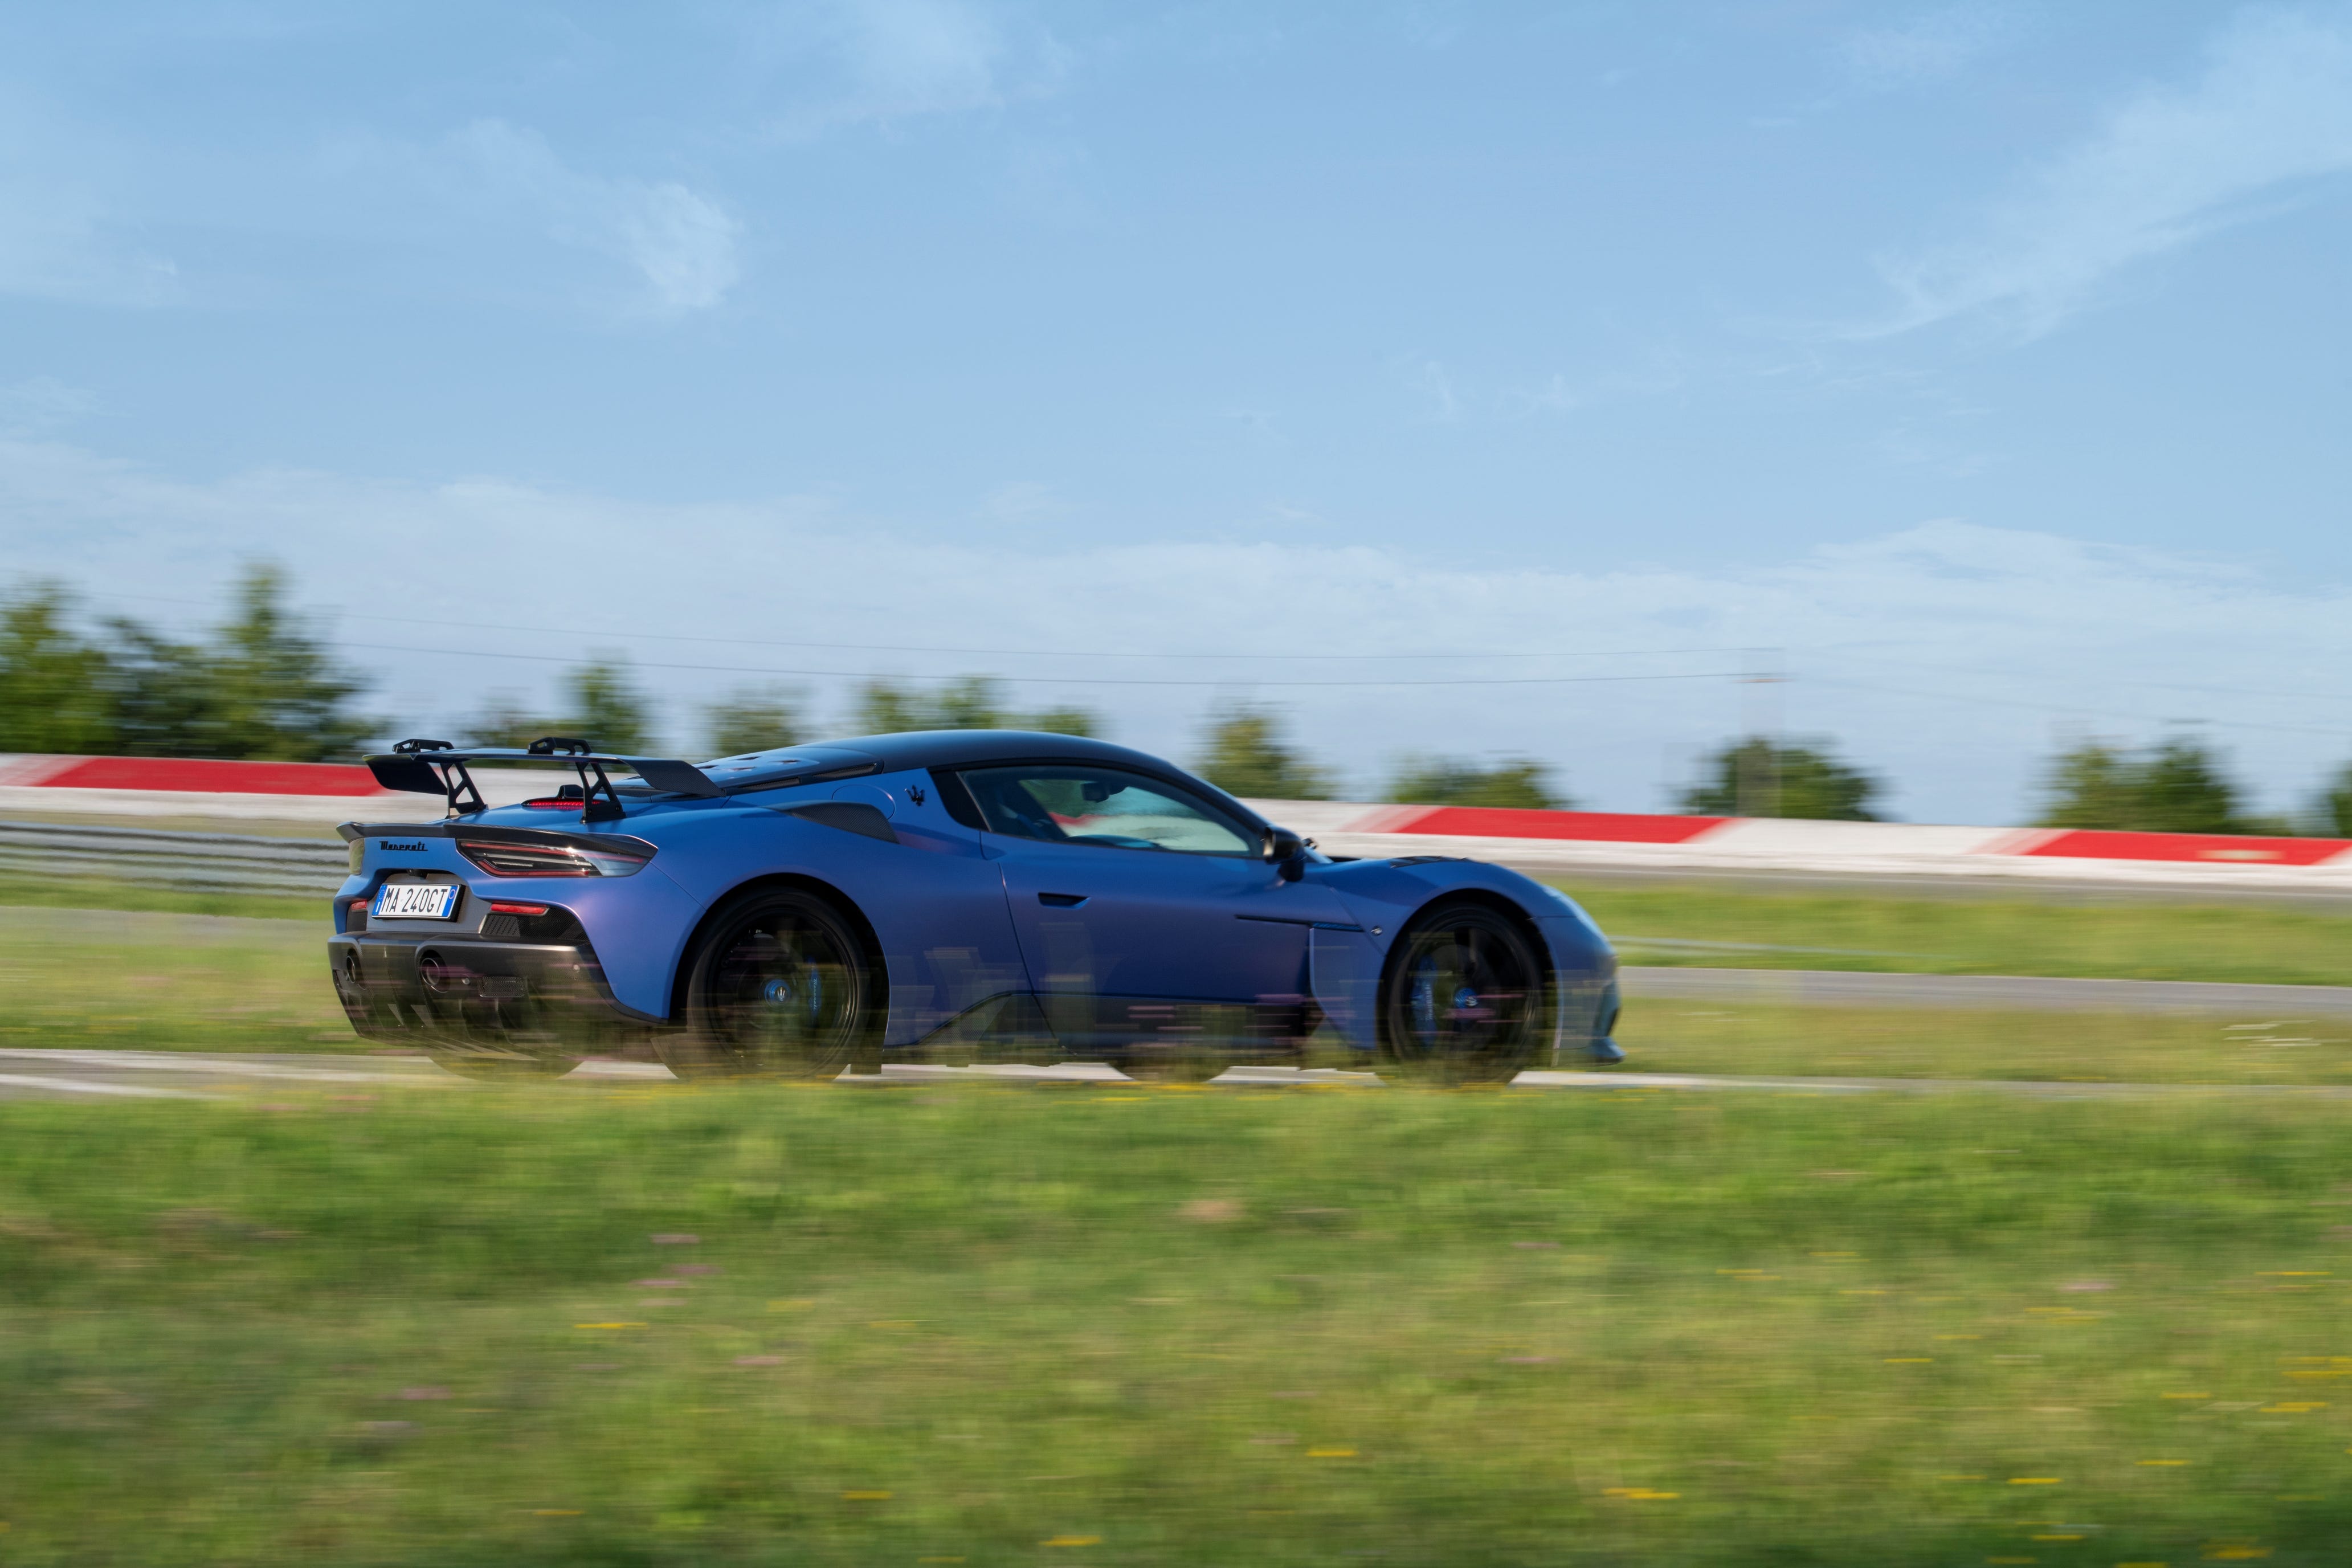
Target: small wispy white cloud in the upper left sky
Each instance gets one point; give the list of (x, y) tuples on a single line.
[(681, 241)]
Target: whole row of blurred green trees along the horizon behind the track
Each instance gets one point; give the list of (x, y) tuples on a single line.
[(265, 685)]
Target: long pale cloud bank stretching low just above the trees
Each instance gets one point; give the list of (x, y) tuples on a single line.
[(1942, 655)]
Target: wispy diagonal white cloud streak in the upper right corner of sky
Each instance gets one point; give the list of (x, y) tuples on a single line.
[(2269, 116)]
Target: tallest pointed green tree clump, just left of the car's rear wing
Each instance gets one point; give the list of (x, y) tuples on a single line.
[(262, 688)]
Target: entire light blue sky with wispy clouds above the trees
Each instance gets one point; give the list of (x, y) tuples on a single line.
[(1474, 380)]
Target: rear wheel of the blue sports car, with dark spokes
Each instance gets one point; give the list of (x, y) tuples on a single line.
[(782, 986)]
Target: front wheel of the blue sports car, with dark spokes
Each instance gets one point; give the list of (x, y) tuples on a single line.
[(1464, 998)]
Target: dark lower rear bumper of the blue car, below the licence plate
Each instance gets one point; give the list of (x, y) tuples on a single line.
[(472, 996)]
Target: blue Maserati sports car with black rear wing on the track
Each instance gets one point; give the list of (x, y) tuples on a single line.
[(935, 897)]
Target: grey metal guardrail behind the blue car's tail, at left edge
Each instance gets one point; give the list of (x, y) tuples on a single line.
[(201, 862)]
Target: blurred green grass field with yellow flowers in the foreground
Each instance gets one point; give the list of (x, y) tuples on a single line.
[(1078, 1327)]
